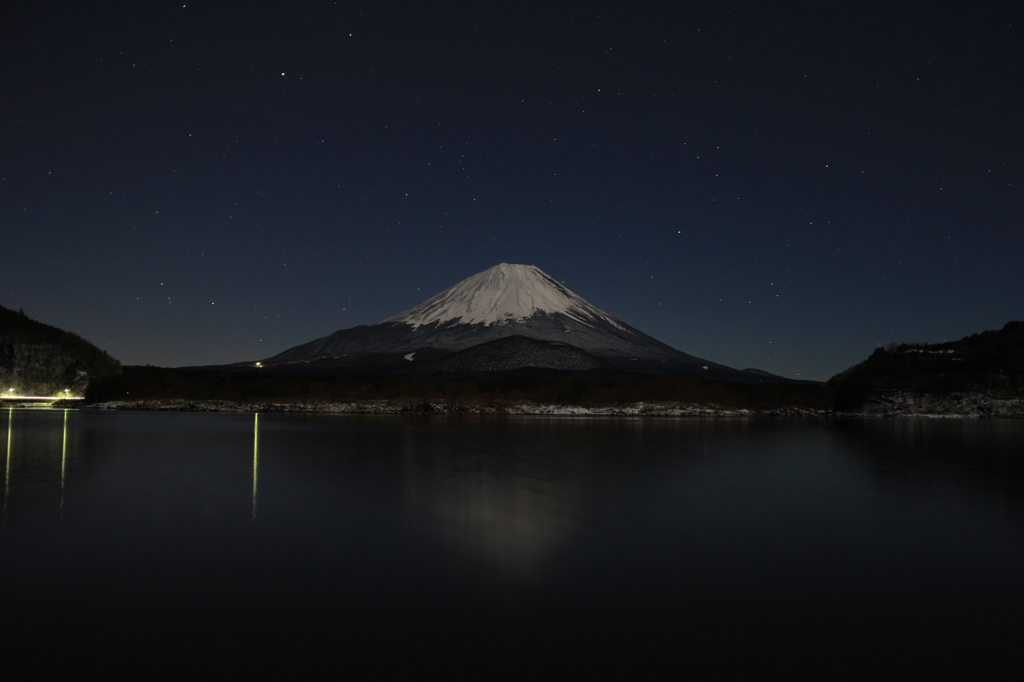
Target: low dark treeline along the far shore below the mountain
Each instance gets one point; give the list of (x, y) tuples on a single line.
[(255, 386)]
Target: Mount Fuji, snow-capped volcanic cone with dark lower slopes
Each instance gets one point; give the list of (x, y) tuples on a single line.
[(506, 318)]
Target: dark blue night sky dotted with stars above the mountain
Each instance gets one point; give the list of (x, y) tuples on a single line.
[(773, 186)]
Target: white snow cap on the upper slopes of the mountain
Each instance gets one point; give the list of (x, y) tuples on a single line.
[(500, 295)]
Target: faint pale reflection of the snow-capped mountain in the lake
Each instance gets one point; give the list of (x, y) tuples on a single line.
[(527, 490)]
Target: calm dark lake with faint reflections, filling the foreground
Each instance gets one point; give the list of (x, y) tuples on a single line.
[(161, 544)]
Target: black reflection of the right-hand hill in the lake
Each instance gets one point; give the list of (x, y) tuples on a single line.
[(979, 459)]
